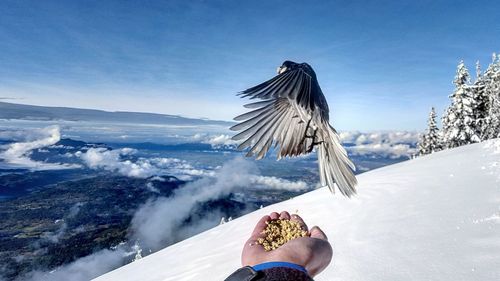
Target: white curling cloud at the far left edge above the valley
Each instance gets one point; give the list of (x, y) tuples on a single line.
[(17, 154)]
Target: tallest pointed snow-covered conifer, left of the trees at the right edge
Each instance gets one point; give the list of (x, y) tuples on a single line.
[(458, 120)]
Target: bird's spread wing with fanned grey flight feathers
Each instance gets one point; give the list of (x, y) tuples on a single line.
[(282, 118)]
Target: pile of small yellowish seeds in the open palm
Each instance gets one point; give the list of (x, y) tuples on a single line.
[(280, 231)]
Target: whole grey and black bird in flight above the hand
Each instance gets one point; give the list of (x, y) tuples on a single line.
[(293, 115)]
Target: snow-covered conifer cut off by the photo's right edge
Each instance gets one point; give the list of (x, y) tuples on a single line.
[(491, 127)]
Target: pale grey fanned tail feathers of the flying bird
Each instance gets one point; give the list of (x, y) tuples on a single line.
[(334, 164)]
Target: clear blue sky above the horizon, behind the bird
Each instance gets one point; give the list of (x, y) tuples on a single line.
[(381, 64)]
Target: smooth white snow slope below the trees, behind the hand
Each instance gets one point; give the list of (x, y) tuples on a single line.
[(433, 218)]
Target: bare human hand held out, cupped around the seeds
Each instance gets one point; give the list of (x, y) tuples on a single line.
[(313, 252)]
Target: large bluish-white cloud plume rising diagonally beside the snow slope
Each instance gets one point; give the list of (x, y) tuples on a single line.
[(155, 224)]
